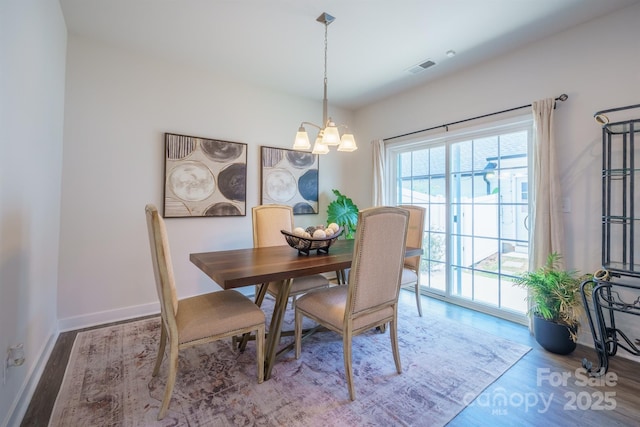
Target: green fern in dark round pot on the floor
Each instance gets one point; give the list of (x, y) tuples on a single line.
[(556, 306)]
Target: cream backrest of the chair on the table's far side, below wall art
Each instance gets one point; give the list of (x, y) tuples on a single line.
[(268, 220)]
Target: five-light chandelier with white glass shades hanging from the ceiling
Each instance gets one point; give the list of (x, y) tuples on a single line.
[(328, 134)]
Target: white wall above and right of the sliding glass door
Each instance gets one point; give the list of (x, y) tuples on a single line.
[(597, 64)]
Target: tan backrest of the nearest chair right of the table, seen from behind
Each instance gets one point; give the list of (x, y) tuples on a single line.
[(378, 258)]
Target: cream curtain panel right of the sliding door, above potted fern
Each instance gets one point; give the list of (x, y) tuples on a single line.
[(547, 228)]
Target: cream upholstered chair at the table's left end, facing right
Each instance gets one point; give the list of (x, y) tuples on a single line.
[(195, 320)]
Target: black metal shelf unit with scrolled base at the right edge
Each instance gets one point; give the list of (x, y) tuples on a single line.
[(615, 290)]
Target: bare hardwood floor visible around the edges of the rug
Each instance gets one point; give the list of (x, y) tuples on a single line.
[(541, 389)]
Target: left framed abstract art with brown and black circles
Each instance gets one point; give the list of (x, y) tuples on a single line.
[(204, 177)]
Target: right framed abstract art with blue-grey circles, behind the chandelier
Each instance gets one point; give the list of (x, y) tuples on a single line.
[(290, 178)]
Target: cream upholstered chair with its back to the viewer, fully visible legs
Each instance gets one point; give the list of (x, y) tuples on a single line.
[(370, 298)]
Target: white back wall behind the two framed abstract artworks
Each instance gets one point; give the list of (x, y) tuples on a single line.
[(118, 106)]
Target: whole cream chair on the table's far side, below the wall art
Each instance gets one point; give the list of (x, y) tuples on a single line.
[(268, 220)]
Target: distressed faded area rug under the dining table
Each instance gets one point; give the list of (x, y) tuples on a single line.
[(445, 365)]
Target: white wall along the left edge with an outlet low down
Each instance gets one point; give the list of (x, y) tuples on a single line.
[(32, 66)]
